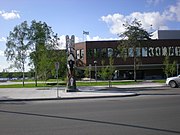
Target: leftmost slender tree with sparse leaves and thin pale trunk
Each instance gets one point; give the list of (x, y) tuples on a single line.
[(17, 47)]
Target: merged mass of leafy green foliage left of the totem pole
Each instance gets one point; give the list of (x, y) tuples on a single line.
[(38, 43)]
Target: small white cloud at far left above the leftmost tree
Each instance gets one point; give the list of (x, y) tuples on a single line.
[(10, 15)]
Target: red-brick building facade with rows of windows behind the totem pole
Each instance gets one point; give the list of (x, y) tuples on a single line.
[(150, 54)]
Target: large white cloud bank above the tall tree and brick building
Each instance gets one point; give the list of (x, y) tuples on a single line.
[(150, 20)]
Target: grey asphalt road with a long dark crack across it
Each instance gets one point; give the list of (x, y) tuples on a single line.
[(153, 112)]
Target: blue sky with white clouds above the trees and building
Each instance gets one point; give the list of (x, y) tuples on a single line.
[(102, 18)]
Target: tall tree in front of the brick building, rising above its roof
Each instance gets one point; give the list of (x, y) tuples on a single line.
[(131, 45)]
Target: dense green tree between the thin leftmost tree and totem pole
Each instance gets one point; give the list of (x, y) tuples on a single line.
[(43, 44)]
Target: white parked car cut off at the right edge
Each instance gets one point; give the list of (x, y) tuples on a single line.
[(173, 82)]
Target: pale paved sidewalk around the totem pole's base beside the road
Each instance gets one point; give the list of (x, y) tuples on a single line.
[(30, 94)]
